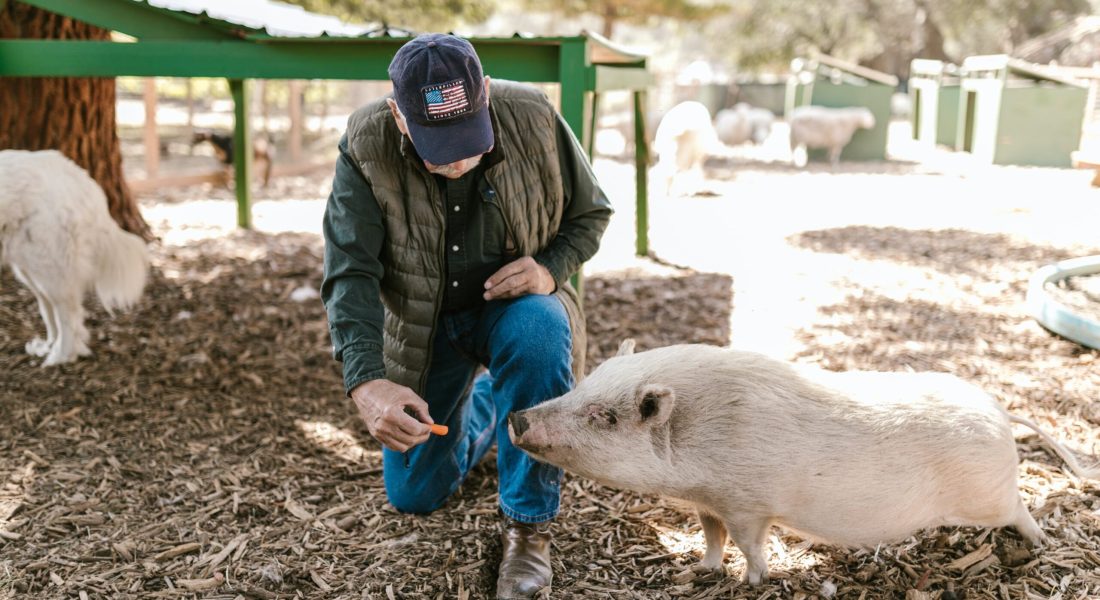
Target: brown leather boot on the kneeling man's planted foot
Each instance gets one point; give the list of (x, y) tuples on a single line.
[(525, 565)]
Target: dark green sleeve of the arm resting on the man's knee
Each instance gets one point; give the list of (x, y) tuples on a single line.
[(586, 213)]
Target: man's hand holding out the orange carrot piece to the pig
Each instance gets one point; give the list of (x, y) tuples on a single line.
[(382, 406)]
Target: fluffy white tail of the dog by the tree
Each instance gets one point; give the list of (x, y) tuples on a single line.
[(122, 266)]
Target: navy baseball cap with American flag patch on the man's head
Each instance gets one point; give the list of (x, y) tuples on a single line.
[(439, 89)]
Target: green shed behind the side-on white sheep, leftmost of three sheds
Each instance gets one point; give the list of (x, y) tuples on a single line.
[(829, 82)]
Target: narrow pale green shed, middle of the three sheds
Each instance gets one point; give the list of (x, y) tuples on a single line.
[(934, 94)]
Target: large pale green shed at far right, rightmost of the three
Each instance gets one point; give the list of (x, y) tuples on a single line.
[(1017, 113)]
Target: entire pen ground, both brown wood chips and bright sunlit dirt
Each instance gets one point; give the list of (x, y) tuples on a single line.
[(206, 450)]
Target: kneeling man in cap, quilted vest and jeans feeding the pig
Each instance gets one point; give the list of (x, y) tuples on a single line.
[(452, 233)]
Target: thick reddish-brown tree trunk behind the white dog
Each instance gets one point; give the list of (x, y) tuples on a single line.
[(72, 115)]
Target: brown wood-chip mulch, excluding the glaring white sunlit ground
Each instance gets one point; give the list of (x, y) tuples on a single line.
[(206, 449)]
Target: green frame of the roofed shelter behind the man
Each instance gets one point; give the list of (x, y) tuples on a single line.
[(180, 45)]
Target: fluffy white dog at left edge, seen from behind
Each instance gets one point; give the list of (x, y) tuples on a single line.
[(60, 241)]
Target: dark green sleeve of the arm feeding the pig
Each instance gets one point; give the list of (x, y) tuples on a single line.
[(354, 236)]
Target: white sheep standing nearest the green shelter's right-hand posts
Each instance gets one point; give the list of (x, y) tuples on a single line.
[(685, 138)]
